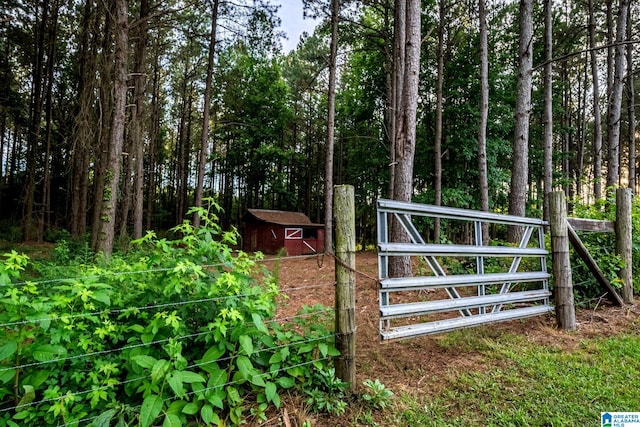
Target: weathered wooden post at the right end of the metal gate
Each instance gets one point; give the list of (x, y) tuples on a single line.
[(562, 280)]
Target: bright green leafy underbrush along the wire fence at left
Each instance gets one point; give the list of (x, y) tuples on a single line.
[(175, 332)]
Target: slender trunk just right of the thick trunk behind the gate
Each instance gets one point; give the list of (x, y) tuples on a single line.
[(437, 145)]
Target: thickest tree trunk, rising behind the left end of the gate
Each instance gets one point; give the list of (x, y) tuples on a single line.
[(405, 138)]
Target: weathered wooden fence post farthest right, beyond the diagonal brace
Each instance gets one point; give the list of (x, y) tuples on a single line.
[(623, 241)]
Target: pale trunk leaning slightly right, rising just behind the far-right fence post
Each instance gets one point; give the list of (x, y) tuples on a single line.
[(614, 113)]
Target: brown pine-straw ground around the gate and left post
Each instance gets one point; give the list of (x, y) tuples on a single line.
[(418, 365)]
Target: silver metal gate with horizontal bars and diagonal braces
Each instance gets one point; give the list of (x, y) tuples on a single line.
[(457, 286)]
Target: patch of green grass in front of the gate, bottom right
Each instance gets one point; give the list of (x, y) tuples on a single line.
[(528, 384)]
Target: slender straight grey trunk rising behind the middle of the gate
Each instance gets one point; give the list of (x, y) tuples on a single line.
[(484, 114)]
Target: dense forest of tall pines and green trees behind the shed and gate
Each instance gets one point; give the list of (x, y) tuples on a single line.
[(78, 77)]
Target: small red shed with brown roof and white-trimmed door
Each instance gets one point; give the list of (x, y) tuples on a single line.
[(269, 231)]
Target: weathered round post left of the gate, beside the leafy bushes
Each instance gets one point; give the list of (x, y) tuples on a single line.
[(344, 221)]
